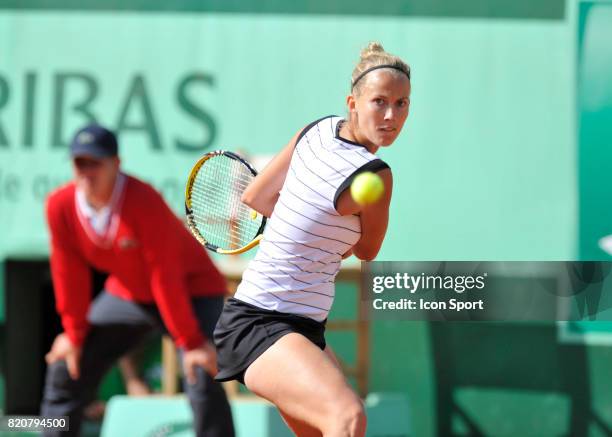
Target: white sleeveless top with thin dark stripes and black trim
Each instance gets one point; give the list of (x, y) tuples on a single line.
[(304, 239)]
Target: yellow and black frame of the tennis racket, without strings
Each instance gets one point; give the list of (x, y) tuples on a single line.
[(191, 223)]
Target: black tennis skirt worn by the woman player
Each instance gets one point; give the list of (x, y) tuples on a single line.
[(245, 331)]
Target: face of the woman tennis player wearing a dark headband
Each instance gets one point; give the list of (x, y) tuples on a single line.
[(381, 108)]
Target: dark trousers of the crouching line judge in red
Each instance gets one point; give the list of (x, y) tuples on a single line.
[(117, 327)]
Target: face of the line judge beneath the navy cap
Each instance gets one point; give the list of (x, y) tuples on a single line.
[(96, 176)]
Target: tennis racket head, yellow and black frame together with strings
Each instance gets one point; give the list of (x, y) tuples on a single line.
[(215, 214)]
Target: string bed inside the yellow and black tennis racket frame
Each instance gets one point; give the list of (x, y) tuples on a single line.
[(220, 216)]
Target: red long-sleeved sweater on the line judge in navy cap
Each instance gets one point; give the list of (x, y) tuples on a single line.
[(151, 258)]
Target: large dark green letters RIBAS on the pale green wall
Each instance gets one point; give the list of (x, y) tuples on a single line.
[(77, 94)]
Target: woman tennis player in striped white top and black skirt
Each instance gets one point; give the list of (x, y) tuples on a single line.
[(271, 334)]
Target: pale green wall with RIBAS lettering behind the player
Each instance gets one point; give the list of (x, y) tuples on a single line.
[(484, 169)]
